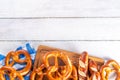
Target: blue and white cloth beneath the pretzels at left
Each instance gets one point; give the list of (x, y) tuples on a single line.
[(30, 50)]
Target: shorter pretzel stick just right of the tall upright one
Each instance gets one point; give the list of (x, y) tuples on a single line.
[(93, 68)]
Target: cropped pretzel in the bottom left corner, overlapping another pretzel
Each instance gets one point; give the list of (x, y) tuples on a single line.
[(11, 72)]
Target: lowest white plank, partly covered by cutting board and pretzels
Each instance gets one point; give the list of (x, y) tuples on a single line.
[(106, 50)]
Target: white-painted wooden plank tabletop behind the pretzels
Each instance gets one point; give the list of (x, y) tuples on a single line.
[(75, 25)]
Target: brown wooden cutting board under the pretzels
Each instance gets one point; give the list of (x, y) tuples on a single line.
[(72, 55)]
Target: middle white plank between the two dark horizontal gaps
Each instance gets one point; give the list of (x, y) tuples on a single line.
[(60, 29)]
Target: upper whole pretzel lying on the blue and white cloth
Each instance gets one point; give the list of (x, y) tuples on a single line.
[(15, 59)]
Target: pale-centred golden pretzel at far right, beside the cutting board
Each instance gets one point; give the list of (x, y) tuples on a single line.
[(110, 66)]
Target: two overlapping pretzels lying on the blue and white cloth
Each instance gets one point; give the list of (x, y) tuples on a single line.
[(12, 58)]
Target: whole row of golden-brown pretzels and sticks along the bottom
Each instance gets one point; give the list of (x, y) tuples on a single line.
[(86, 69)]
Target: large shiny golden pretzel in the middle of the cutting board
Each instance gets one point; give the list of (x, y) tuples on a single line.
[(57, 72)]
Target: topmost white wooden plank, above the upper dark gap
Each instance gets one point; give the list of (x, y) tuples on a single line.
[(59, 8)]
